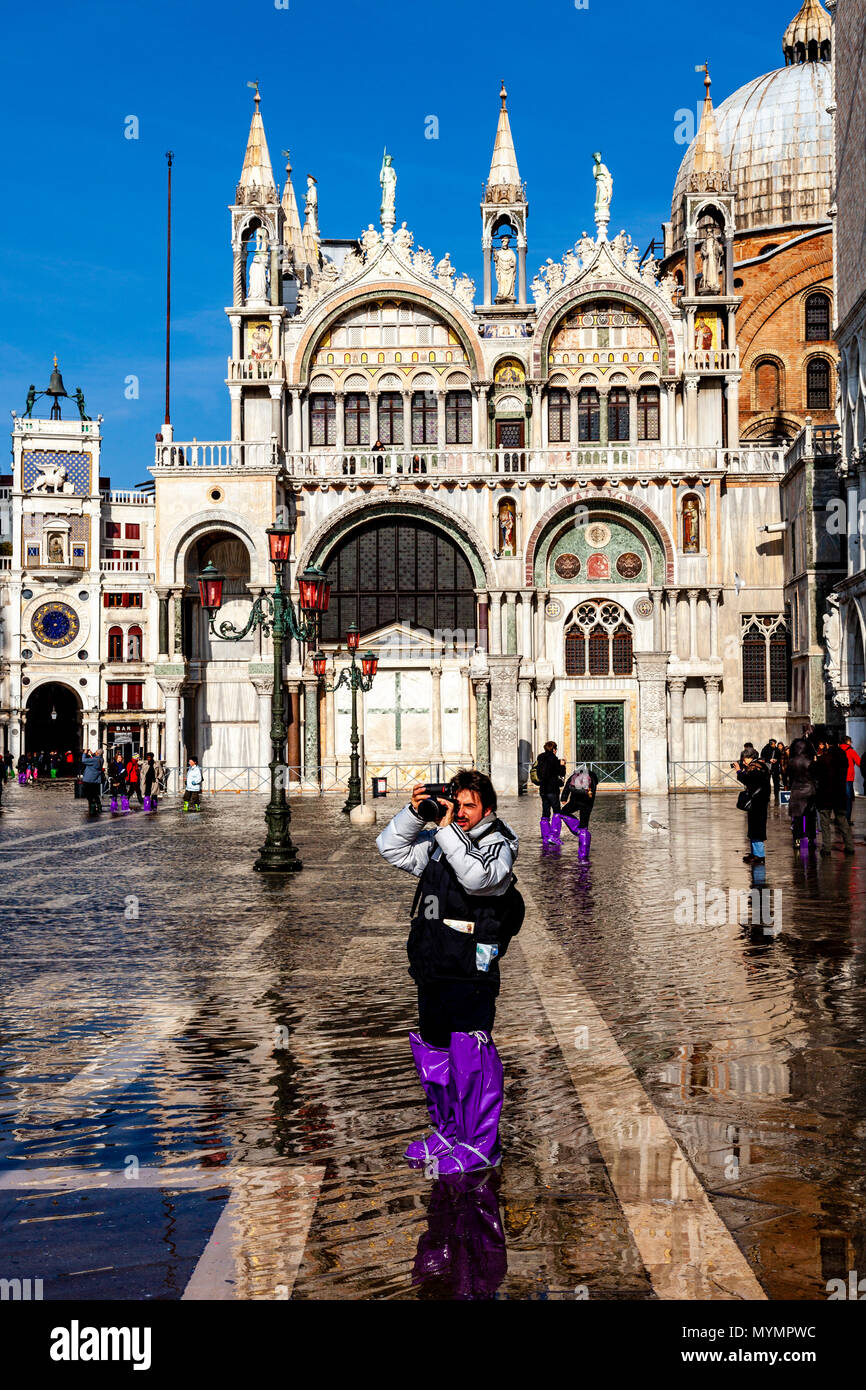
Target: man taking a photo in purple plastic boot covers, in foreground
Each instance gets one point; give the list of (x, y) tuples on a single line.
[(465, 913)]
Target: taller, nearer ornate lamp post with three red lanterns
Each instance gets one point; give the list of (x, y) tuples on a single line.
[(275, 614)]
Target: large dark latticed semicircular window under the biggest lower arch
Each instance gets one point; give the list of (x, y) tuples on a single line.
[(400, 572)]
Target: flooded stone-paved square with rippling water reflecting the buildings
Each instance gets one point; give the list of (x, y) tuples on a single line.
[(208, 1085)]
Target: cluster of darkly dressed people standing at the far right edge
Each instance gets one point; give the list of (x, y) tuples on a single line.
[(818, 771)]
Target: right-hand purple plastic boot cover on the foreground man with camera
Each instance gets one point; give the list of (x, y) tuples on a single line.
[(477, 1084)]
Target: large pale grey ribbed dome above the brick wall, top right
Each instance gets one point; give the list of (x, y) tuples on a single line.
[(776, 138)]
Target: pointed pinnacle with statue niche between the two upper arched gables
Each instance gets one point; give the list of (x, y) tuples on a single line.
[(504, 220)]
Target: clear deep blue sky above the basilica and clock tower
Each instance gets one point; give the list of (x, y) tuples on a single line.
[(83, 243)]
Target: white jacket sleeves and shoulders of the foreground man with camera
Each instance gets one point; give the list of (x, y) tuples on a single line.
[(482, 858)]
